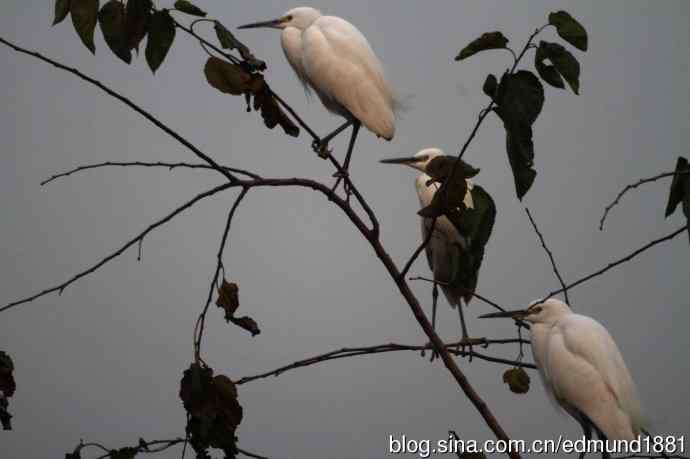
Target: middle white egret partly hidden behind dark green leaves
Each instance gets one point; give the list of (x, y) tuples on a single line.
[(454, 258)]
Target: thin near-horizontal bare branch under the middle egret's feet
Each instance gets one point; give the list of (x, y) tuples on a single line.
[(392, 347)]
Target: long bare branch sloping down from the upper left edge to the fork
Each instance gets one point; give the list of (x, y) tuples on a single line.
[(127, 102)]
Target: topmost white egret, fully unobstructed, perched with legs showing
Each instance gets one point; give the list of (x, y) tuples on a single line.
[(332, 57)]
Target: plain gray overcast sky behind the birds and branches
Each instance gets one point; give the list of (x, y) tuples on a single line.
[(103, 361)]
